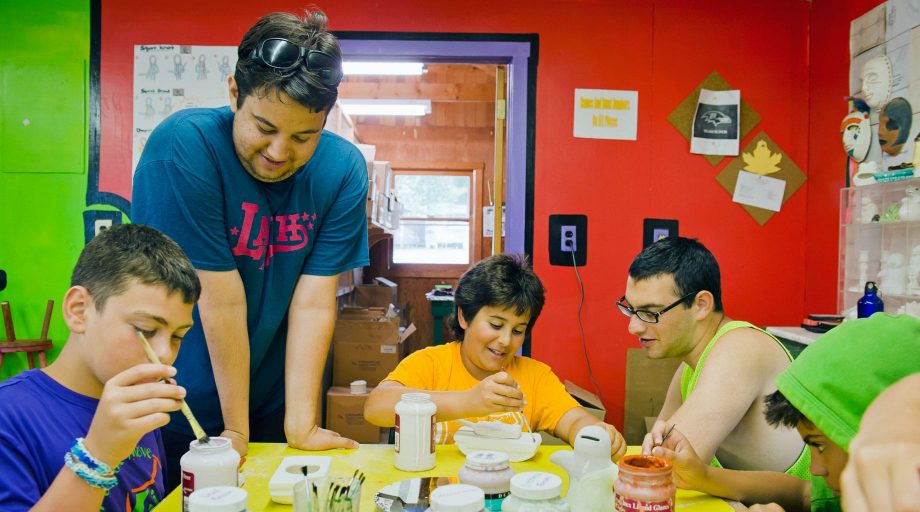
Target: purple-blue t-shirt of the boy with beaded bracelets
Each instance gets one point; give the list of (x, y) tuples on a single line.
[(39, 420)]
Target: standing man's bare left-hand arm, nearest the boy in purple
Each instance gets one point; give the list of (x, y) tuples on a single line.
[(222, 308)]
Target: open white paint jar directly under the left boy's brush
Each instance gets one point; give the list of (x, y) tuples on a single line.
[(211, 464)]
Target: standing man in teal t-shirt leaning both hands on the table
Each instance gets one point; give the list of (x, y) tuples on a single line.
[(270, 209)]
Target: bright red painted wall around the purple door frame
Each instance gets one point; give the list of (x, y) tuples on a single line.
[(661, 48)]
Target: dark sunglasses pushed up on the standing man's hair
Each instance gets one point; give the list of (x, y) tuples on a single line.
[(283, 55)]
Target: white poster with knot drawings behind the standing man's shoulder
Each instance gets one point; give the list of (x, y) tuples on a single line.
[(171, 77)]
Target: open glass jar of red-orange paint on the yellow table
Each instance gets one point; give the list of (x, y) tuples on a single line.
[(644, 484)]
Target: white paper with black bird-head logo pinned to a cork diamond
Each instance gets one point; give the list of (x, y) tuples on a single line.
[(715, 123)]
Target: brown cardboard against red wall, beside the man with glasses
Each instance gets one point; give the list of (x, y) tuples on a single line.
[(647, 382)]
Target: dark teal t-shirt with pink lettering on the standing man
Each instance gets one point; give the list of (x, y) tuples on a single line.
[(191, 185)]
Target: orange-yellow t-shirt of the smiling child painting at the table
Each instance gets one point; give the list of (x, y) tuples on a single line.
[(440, 368)]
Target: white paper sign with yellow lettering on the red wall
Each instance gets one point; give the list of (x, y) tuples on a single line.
[(605, 114)]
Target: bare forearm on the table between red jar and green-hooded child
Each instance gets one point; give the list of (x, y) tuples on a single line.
[(752, 487)]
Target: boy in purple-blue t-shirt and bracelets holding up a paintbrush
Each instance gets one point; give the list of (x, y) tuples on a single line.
[(99, 405)]
